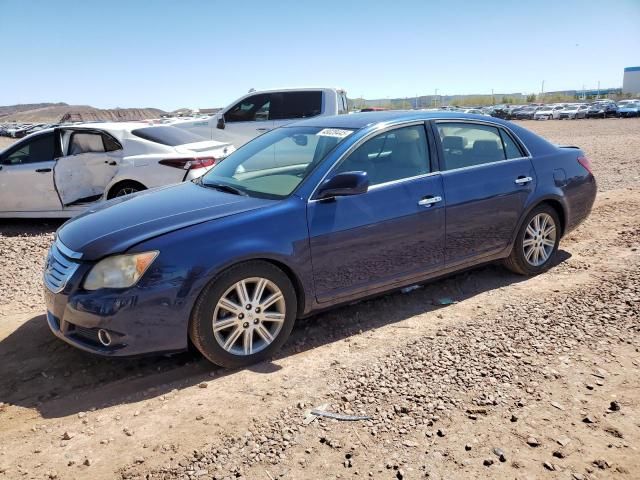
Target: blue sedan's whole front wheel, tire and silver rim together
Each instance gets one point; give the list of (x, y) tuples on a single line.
[(244, 315)]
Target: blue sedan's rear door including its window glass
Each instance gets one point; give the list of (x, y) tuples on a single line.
[(487, 178)]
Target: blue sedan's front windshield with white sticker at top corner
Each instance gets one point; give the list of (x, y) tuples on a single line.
[(274, 164)]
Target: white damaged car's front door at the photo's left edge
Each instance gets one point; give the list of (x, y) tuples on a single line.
[(26, 176)]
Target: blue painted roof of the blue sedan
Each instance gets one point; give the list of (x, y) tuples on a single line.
[(364, 119)]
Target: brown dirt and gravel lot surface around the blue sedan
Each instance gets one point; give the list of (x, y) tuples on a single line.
[(520, 378)]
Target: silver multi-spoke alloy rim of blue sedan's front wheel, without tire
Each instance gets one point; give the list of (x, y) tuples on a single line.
[(249, 316)]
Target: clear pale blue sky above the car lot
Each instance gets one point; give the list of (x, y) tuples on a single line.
[(205, 53)]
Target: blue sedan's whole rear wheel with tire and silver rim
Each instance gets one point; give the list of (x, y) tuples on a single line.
[(536, 242)]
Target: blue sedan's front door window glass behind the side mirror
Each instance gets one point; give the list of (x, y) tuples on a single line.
[(393, 155)]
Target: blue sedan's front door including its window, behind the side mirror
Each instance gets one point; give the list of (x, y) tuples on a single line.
[(392, 233)]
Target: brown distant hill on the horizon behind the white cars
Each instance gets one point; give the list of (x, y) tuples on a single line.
[(62, 112)]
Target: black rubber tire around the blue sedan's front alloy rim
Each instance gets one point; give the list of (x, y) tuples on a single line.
[(201, 324)]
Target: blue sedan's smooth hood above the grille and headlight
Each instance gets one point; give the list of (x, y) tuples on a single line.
[(119, 224)]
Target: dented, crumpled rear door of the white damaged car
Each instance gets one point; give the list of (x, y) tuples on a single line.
[(90, 162)]
